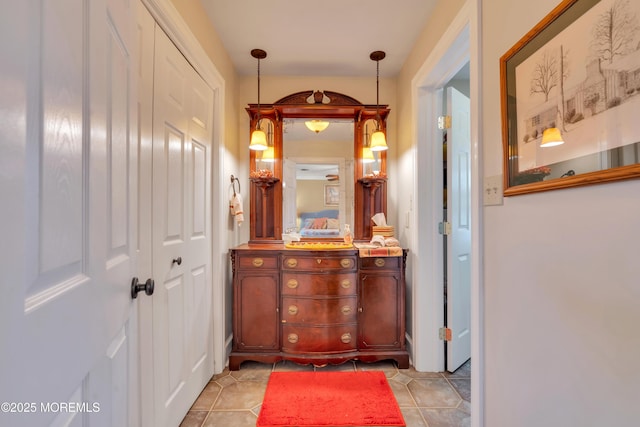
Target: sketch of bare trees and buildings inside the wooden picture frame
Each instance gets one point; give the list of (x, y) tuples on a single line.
[(584, 81)]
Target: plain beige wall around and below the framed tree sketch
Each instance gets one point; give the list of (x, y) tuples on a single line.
[(561, 286)]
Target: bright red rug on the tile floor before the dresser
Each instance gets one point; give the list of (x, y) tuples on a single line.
[(321, 399)]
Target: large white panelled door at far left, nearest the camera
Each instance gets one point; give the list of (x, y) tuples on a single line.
[(68, 216)]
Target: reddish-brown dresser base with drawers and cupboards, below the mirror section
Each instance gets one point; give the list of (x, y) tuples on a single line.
[(317, 306)]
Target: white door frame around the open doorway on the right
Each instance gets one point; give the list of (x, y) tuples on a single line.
[(459, 44)]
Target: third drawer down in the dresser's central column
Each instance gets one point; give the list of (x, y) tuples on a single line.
[(319, 311)]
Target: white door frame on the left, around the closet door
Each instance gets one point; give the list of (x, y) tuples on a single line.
[(170, 20)]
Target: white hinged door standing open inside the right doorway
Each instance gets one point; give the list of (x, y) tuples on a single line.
[(459, 241)]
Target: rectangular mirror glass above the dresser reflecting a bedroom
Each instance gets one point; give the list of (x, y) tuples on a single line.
[(317, 190)]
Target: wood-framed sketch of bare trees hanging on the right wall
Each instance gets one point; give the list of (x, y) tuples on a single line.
[(576, 76)]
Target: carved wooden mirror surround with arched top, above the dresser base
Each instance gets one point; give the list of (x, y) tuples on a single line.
[(347, 190)]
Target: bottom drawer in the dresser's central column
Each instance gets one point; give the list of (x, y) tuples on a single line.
[(319, 339)]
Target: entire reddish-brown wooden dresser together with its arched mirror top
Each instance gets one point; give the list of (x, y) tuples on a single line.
[(315, 305)]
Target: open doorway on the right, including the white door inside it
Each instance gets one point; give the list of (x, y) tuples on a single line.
[(456, 230)]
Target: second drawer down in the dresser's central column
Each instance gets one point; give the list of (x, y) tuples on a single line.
[(309, 284)]
